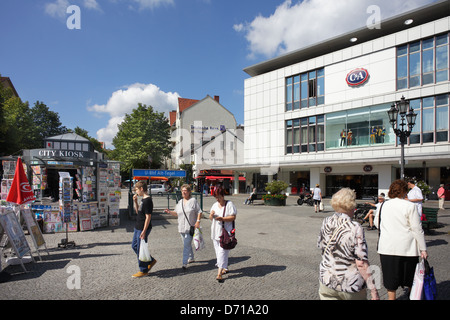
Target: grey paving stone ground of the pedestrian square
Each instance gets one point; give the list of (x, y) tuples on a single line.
[(276, 259)]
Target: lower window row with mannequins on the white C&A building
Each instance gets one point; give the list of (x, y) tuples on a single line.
[(370, 126)]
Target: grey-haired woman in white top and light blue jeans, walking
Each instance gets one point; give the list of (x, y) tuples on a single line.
[(189, 215)]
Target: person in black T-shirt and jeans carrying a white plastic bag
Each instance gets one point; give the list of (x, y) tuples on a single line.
[(143, 226)]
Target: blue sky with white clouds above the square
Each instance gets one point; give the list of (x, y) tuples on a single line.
[(154, 51)]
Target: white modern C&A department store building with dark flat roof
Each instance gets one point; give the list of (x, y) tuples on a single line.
[(299, 104)]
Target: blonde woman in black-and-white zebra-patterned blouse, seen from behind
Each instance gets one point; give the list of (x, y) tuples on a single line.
[(344, 268)]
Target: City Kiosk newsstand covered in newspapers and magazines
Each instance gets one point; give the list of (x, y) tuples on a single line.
[(95, 184)]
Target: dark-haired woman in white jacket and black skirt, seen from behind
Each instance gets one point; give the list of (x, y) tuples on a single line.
[(401, 240)]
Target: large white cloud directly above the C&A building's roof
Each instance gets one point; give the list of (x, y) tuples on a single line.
[(293, 26)]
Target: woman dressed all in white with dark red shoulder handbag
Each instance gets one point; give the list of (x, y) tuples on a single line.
[(222, 214)]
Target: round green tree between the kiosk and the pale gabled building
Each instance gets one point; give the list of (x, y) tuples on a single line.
[(142, 133)]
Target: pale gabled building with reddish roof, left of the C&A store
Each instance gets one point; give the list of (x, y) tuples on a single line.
[(205, 134)]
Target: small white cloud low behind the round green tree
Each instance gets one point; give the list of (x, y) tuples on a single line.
[(124, 101)]
